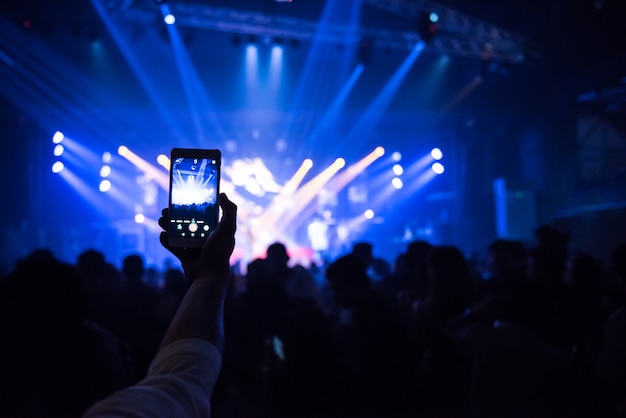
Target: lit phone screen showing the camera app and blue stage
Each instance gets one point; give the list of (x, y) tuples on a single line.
[(194, 197)]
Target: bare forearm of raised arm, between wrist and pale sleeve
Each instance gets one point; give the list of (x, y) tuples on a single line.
[(200, 314)]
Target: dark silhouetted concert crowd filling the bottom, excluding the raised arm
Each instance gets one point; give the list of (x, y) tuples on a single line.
[(532, 330)]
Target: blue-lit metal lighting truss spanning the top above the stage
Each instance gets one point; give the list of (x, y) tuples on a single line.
[(458, 35)]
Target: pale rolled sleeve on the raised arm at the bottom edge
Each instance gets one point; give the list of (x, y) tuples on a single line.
[(179, 383)]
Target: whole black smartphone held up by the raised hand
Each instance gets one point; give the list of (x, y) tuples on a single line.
[(194, 187)]
